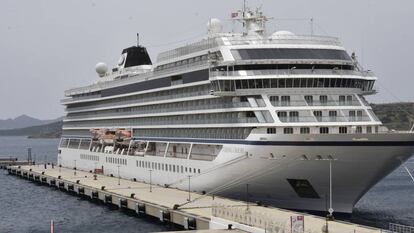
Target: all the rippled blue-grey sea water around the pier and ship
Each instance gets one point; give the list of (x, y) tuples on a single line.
[(27, 207)]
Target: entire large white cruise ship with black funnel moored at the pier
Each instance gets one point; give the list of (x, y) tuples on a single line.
[(281, 115)]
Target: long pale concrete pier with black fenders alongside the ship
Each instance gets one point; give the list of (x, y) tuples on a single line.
[(202, 212)]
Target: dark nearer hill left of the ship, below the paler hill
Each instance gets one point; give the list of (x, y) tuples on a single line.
[(51, 130)]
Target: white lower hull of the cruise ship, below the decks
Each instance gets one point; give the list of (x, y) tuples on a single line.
[(266, 167)]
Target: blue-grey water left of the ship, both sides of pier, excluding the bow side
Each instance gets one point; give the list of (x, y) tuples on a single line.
[(27, 207)]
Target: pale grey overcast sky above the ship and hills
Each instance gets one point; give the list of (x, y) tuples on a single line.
[(48, 46)]
